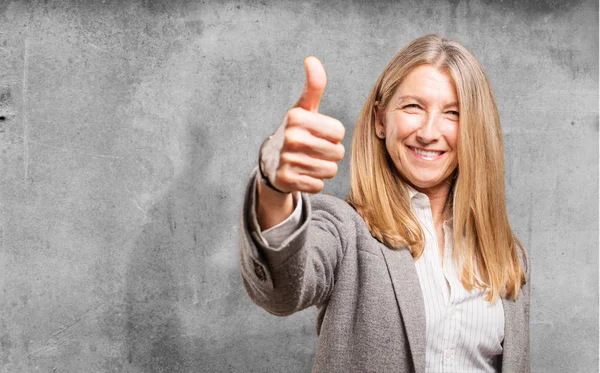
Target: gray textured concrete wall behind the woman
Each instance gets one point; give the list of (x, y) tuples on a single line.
[(128, 129)]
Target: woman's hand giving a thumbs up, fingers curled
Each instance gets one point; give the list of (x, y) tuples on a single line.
[(307, 145)]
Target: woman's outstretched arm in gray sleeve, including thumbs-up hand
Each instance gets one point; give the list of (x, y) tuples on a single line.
[(302, 153)]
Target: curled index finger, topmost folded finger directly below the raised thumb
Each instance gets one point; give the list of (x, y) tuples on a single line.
[(319, 125)]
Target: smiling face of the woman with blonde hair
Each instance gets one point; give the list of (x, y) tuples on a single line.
[(420, 124)]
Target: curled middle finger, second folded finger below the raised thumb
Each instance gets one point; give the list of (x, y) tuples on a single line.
[(301, 141)]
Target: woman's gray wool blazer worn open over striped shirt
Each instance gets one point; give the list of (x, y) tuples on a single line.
[(371, 315)]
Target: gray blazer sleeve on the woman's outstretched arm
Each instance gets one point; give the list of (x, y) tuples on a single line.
[(301, 271)]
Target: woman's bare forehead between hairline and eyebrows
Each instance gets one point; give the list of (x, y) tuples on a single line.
[(428, 83)]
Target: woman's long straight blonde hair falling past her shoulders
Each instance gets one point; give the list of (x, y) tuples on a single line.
[(484, 244)]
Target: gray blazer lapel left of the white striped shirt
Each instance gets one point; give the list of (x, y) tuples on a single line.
[(410, 301)]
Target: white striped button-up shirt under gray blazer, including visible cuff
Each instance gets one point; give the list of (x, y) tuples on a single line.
[(464, 331)]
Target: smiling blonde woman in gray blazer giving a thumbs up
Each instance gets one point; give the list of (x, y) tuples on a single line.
[(419, 269)]
